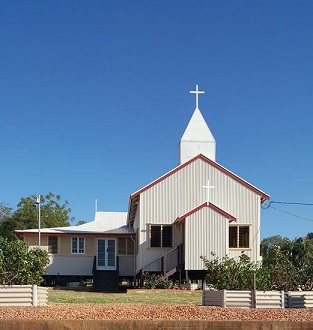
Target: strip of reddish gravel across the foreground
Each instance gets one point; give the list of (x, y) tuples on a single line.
[(149, 312)]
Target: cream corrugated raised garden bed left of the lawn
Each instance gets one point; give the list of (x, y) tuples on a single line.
[(23, 295)]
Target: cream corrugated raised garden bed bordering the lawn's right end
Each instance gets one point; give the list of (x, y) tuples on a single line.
[(245, 299)]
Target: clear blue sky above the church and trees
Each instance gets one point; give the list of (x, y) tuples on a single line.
[(94, 98)]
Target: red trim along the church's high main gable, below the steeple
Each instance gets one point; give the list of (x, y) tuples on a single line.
[(263, 195)]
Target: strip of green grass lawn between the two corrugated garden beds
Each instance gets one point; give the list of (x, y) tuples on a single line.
[(132, 296)]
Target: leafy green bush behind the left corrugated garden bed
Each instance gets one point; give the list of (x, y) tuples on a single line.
[(20, 265)]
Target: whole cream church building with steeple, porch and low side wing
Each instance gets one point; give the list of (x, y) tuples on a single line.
[(197, 208)]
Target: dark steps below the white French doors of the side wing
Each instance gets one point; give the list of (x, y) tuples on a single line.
[(105, 281)]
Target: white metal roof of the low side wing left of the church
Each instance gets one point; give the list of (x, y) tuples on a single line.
[(104, 223)]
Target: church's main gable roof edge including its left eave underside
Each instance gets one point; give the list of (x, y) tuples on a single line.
[(134, 198)]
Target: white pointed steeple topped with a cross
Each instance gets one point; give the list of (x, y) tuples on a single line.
[(197, 138)]
